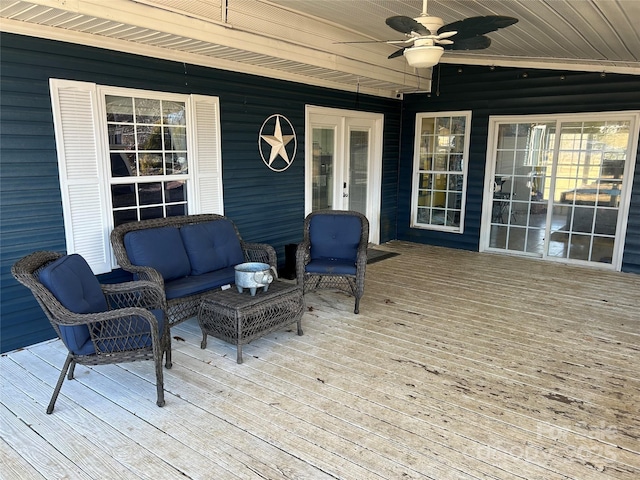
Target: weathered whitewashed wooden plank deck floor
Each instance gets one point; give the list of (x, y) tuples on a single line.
[(460, 366)]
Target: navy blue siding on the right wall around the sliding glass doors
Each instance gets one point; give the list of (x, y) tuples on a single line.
[(506, 91)]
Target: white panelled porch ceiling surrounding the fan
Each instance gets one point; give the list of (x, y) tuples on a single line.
[(297, 40)]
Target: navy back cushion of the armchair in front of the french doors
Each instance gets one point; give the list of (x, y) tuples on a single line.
[(335, 236)]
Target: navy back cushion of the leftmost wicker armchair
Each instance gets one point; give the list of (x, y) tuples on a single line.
[(74, 285)]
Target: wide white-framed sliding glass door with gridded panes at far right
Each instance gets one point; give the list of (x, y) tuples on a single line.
[(559, 187)]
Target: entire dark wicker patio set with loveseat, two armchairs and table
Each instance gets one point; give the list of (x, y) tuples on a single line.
[(183, 267)]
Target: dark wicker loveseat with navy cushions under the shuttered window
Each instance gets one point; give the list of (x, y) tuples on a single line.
[(188, 256)]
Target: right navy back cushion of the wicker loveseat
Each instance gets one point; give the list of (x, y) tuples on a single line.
[(211, 246)]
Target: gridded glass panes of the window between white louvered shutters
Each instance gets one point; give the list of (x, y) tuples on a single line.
[(148, 153)]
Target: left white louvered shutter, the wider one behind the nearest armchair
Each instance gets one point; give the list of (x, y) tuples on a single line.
[(75, 111)]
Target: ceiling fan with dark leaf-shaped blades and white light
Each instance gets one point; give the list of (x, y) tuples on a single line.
[(428, 37)]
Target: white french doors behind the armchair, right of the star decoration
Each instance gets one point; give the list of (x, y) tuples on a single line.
[(343, 162)]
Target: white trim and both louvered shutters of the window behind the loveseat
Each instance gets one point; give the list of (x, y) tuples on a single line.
[(80, 127)]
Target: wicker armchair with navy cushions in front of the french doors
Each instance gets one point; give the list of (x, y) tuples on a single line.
[(333, 253)]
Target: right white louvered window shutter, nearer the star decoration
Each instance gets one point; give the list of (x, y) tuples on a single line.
[(208, 159)]
